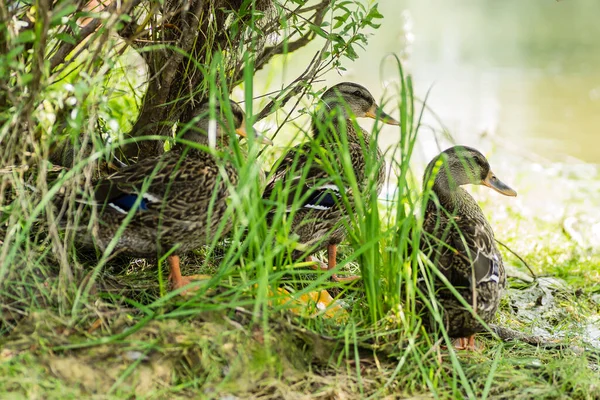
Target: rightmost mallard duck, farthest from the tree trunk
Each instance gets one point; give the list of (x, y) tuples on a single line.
[(460, 241)]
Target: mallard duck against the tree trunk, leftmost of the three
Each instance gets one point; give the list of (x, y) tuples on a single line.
[(169, 197)]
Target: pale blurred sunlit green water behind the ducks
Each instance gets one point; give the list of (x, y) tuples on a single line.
[(514, 75)]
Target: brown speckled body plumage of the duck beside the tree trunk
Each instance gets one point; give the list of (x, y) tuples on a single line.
[(183, 186)]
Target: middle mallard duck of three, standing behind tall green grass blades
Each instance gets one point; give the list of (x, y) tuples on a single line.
[(319, 223)]
